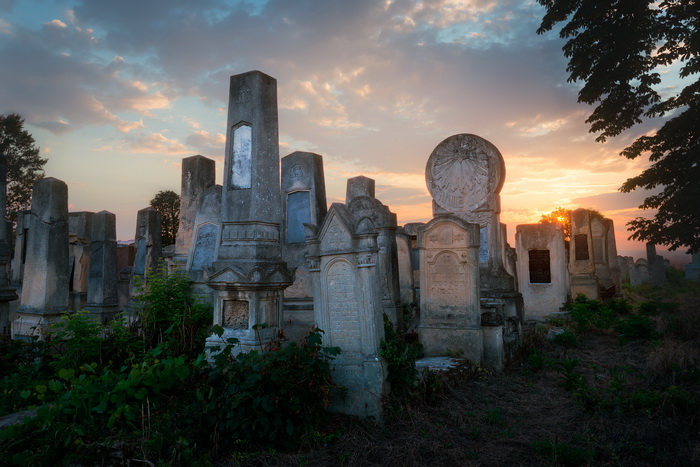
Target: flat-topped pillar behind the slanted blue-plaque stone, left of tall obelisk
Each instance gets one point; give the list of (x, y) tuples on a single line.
[(198, 174)]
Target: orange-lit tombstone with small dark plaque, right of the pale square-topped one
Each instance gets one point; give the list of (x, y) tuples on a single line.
[(582, 266)]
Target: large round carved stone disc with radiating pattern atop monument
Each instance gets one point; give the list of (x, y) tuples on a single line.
[(463, 174)]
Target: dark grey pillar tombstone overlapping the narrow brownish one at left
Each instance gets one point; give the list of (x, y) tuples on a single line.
[(102, 291)]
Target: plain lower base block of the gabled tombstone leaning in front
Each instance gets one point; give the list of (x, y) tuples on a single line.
[(363, 383)]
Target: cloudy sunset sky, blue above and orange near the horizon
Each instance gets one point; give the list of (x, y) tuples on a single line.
[(116, 93)]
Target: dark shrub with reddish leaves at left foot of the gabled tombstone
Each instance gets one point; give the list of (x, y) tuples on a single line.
[(273, 396)]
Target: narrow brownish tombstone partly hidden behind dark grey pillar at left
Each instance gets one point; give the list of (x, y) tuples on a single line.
[(79, 230)]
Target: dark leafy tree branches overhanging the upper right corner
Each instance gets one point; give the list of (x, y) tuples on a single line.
[(618, 49)]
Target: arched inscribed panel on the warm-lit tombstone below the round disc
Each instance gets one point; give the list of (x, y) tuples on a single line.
[(447, 278)]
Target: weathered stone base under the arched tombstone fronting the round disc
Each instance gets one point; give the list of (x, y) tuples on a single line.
[(440, 341)]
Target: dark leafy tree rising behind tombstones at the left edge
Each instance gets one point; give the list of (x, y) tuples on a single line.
[(24, 166)]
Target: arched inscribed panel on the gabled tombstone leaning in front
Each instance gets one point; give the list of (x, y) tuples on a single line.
[(342, 307)]
